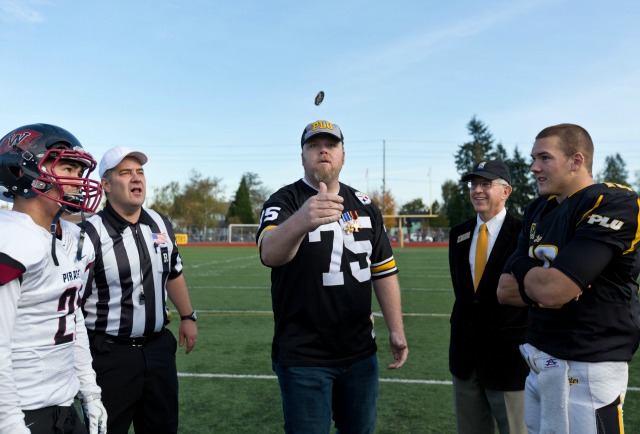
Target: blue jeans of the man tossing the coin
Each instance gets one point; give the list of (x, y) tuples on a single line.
[(312, 395)]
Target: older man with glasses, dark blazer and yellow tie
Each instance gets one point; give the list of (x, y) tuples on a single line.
[(488, 371)]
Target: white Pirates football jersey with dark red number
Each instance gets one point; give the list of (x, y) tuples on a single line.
[(44, 350)]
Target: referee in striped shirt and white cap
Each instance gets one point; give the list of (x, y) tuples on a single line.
[(137, 265)]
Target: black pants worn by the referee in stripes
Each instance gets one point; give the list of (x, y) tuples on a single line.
[(139, 383)]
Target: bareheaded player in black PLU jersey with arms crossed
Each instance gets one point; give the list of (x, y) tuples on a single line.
[(576, 265)]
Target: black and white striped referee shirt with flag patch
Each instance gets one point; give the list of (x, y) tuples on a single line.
[(126, 292)]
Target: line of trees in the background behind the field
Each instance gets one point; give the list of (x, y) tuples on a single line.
[(201, 203)]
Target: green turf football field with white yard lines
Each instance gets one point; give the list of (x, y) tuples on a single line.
[(227, 385)]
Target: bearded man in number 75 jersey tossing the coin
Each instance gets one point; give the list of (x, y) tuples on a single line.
[(326, 245)]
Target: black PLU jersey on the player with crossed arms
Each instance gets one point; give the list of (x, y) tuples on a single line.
[(592, 237)]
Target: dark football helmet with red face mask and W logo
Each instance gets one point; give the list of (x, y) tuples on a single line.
[(23, 155)]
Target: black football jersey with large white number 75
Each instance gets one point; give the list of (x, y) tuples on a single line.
[(321, 299)]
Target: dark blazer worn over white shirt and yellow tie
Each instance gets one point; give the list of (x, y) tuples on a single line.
[(485, 334)]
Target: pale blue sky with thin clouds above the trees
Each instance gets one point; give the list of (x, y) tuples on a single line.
[(225, 88)]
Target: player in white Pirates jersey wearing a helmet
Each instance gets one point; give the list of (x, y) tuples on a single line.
[(44, 354)]
